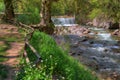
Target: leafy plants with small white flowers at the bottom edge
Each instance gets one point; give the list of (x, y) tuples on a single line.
[(30, 72)]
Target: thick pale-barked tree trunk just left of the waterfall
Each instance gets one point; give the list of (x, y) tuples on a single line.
[(46, 17)]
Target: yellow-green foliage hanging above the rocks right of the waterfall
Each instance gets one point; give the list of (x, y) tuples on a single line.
[(104, 9)]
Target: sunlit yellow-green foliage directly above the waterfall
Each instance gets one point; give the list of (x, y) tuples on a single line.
[(63, 7)]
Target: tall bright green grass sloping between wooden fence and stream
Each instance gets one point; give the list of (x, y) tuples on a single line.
[(55, 61)]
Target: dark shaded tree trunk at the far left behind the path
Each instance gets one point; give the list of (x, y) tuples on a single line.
[(9, 11)]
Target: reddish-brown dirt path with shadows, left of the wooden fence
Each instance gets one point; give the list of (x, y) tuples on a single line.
[(9, 34)]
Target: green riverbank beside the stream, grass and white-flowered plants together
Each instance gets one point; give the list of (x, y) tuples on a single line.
[(54, 63)]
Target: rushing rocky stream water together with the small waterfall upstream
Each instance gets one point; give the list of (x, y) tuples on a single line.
[(101, 53)]
